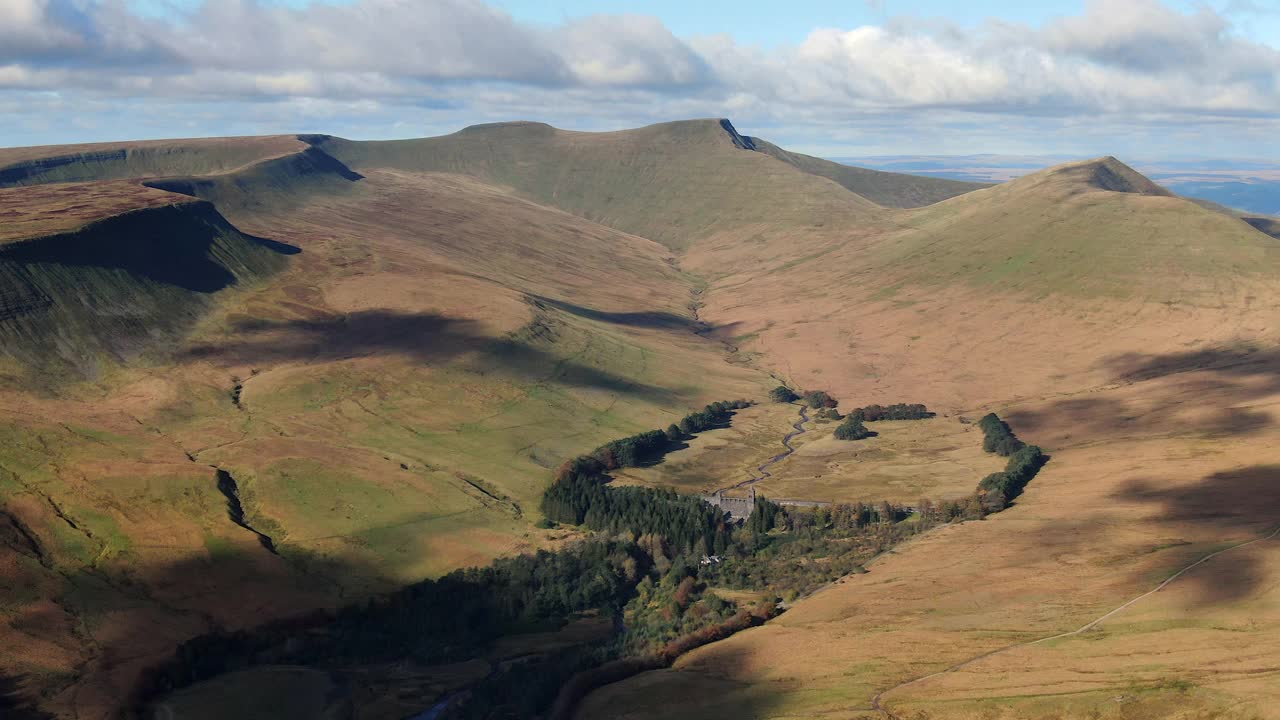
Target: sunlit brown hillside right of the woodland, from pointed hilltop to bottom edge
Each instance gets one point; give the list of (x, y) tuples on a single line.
[(1128, 332)]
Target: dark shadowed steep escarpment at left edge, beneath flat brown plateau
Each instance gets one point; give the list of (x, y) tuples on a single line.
[(124, 285)]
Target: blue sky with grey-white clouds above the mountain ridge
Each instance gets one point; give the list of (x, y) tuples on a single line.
[(1133, 79)]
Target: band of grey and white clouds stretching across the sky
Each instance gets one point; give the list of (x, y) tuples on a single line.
[(1118, 58)]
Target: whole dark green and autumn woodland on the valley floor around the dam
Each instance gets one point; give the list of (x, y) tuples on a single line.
[(643, 564)]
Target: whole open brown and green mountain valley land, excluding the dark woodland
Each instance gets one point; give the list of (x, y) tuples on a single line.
[(249, 380)]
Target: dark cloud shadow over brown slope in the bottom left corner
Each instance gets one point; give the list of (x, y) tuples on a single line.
[(143, 614)]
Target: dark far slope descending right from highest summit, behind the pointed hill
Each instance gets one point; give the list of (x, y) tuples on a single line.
[(892, 190)]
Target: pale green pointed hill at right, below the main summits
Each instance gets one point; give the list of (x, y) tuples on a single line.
[(1086, 230)]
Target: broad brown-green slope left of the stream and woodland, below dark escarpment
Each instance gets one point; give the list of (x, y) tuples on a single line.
[(391, 407)]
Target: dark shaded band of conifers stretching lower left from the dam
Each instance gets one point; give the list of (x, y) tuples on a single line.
[(432, 622)]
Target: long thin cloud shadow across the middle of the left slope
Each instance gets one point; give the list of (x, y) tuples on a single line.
[(426, 338)]
